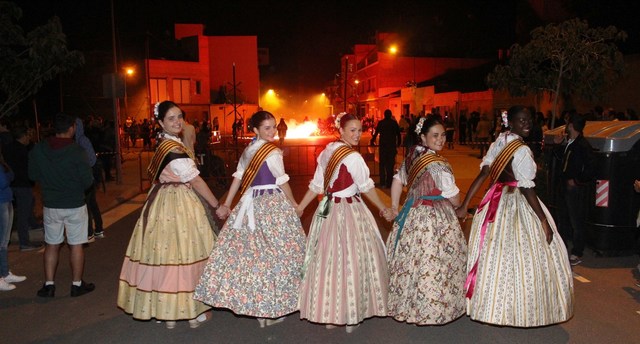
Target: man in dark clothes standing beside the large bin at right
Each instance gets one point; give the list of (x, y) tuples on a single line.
[(576, 175)]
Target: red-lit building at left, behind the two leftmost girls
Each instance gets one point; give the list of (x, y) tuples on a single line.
[(197, 85)]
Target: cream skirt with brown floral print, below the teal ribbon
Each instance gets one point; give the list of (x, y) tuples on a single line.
[(427, 266)]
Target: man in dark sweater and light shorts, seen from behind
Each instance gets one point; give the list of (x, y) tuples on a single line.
[(62, 169)]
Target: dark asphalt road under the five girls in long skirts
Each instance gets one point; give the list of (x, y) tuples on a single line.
[(607, 301)]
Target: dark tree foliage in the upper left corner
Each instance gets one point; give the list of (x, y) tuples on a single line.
[(28, 61)]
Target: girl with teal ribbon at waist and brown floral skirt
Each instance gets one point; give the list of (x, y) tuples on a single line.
[(426, 250)]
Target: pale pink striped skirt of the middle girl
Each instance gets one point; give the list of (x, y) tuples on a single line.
[(345, 279)]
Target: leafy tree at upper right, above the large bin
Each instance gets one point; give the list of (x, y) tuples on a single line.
[(566, 59)]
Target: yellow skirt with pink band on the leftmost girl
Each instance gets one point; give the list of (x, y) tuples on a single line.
[(166, 257)]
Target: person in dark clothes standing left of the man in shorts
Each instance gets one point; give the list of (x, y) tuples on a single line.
[(15, 153)]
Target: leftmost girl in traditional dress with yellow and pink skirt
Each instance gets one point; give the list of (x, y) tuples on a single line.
[(174, 235)]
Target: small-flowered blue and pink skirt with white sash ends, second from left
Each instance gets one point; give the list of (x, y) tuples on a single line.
[(257, 272)]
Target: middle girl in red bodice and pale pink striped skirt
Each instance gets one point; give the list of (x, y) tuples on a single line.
[(345, 271)]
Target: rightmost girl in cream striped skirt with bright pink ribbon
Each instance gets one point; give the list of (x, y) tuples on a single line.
[(518, 271)]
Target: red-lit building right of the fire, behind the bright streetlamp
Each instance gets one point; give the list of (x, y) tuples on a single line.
[(380, 77)]
